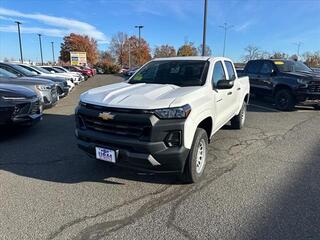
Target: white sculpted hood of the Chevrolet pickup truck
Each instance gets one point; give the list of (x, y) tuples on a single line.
[(136, 96)]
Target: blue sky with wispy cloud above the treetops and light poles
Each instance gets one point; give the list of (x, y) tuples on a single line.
[(273, 25)]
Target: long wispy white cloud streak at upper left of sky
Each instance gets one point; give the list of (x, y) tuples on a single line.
[(62, 25)]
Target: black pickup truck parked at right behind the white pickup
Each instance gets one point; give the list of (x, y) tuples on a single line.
[(288, 82)]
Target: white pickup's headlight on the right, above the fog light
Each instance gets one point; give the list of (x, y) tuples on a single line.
[(172, 113)]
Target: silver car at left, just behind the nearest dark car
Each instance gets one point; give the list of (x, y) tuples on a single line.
[(45, 89)]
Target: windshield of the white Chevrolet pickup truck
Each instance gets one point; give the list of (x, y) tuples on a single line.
[(181, 73)]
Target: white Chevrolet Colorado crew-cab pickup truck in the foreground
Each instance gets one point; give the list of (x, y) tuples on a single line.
[(163, 117)]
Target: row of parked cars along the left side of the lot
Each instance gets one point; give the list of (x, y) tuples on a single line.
[(25, 90)]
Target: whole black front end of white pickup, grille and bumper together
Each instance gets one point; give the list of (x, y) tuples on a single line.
[(149, 152)]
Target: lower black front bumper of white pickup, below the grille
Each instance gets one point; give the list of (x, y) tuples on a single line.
[(143, 156)]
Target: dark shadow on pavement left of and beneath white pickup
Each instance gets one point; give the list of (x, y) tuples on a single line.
[(48, 151)]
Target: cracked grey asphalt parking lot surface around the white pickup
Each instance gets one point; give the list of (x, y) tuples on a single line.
[(262, 182)]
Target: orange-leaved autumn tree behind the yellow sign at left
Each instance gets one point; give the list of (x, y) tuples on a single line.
[(79, 43)]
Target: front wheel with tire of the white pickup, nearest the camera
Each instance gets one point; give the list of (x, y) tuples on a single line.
[(191, 173)]
